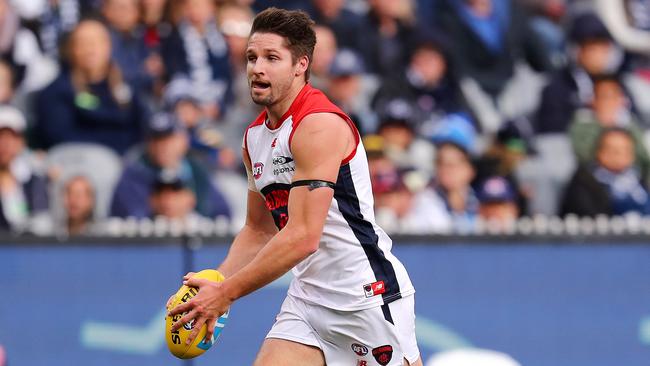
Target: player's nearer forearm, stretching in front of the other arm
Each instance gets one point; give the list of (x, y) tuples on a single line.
[(277, 257)]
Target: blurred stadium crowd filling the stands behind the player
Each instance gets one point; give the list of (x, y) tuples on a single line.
[(470, 110)]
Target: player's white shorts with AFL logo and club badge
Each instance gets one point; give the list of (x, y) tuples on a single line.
[(377, 336)]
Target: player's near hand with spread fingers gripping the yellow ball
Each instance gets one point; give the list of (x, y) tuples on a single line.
[(205, 308)]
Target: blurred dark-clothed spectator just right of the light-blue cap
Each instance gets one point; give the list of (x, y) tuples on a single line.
[(512, 144)]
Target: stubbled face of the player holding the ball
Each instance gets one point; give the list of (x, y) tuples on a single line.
[(270, 68)]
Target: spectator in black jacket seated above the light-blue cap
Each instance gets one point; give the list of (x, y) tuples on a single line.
[(427, 82)]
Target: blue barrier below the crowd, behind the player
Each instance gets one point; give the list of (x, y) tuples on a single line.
[(543, 304)]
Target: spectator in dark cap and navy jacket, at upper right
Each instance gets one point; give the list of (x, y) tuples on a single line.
[(593, 53)]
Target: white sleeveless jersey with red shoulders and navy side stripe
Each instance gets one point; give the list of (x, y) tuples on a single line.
[(353, 267)]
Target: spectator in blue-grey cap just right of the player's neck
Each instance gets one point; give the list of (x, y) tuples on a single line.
[(349, 89)]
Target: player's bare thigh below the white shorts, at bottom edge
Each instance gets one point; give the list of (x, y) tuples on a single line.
[(282, 352)]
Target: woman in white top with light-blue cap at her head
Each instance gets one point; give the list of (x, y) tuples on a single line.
[(449, 204)]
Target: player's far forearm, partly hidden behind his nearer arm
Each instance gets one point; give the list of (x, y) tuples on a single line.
[(244, 248)]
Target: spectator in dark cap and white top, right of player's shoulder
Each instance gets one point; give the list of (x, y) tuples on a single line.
[(403, 145)]
